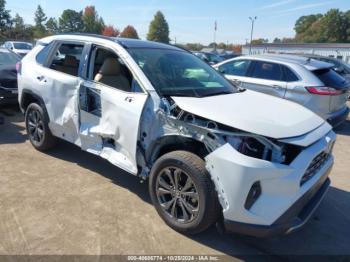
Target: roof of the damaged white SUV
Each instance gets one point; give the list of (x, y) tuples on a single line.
[(125, 42)]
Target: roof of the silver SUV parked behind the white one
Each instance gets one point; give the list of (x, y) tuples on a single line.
[(310, 64)]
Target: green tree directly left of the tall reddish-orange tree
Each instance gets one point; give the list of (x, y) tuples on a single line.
[(71, 21)]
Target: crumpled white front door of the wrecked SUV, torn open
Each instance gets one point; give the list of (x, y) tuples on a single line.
[(110, 107)]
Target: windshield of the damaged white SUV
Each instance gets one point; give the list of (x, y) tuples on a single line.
[(178, 73)]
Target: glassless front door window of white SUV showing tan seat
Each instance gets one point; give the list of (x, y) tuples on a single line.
[(107, 68)]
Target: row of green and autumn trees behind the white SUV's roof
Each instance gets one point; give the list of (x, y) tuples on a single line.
[(71, 21)]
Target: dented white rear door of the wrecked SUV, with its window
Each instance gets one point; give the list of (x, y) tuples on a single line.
[(58, 80)]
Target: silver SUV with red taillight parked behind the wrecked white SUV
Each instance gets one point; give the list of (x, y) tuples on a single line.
[(303, 80)]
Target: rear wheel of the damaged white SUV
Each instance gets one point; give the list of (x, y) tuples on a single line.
[(37, 127)]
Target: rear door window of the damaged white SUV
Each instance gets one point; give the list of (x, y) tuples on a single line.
[(66, 58)]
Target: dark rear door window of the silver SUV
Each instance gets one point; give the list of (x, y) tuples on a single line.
[(266, 70)]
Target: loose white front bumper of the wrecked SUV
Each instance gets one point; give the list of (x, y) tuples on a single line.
[(285, 201)]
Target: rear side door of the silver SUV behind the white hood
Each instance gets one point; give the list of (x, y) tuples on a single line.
[(266, 77)]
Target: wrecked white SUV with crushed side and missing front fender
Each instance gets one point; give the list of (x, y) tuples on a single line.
[(212, 152)]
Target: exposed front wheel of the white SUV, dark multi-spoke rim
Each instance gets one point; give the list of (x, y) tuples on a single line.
[(183, 193)]
